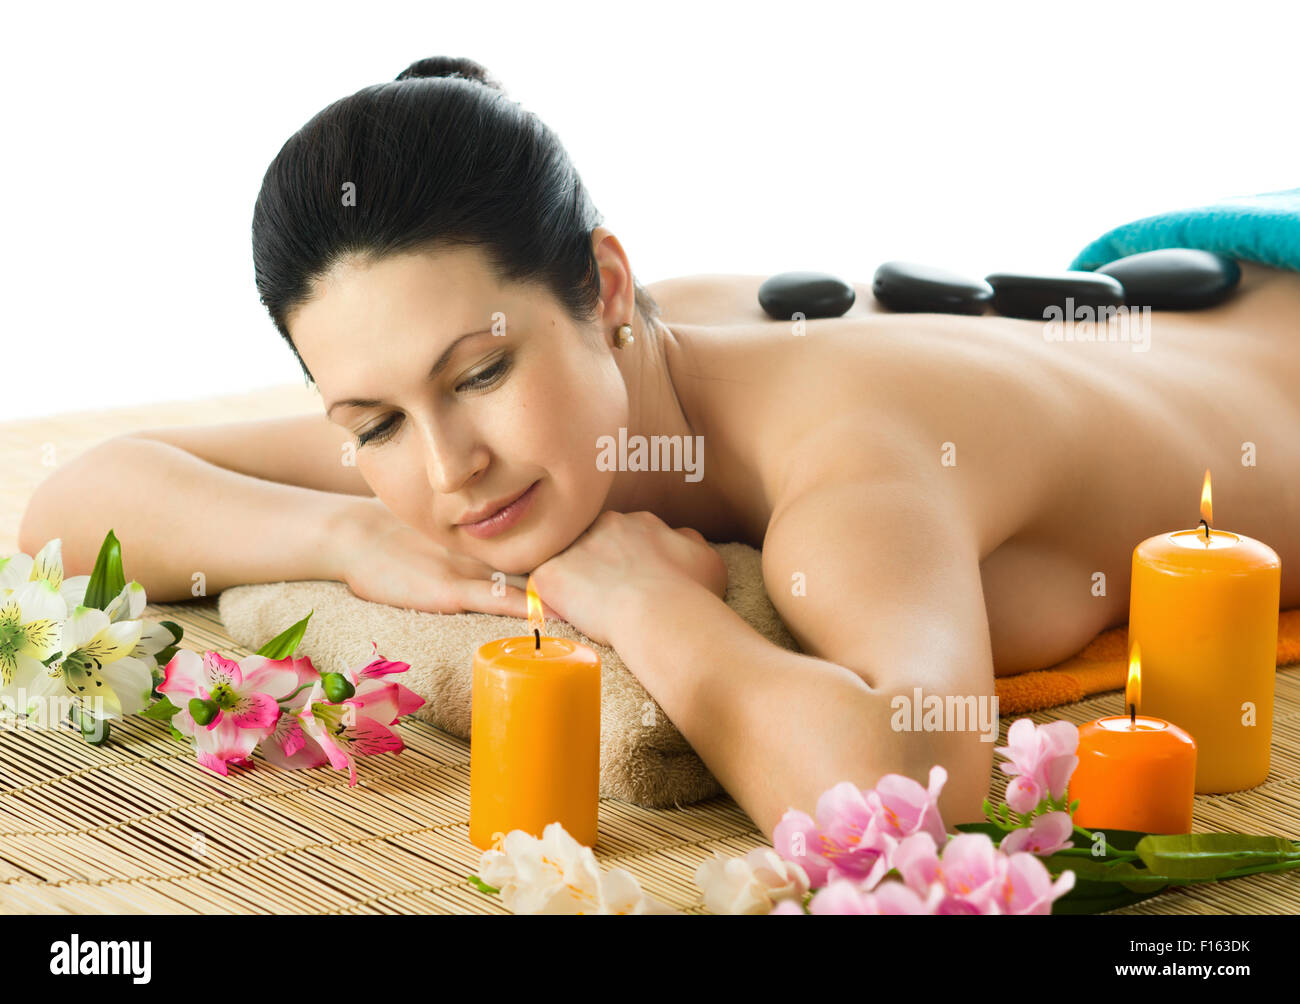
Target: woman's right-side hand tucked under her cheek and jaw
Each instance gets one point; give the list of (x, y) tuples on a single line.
[(621, 560)]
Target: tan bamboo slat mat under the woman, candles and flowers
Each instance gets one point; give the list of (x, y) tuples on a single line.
[(138, 828)]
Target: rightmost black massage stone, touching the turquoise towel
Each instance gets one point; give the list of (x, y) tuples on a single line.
[(1176, 279)]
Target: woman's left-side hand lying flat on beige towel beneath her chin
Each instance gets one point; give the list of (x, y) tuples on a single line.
[(385, 561)]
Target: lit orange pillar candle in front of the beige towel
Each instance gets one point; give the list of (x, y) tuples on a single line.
[(535, 737)]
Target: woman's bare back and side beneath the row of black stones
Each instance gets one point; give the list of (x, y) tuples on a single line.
[(1067, 455)]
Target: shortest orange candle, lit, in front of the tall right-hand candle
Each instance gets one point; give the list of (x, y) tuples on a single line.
[(1136, 772)]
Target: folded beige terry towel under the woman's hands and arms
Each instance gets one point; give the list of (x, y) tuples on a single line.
[(644, 759)]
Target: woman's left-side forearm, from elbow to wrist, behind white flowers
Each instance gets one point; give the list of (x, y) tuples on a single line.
[(187, 527)]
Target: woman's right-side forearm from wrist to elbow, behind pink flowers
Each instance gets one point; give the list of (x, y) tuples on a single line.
[(781, 728)]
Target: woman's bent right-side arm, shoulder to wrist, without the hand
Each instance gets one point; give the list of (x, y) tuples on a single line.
[(892, 603)]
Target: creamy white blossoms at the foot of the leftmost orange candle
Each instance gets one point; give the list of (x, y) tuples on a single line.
[(557, 875)]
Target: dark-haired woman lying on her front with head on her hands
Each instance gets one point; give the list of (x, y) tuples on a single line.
[(935, 496)]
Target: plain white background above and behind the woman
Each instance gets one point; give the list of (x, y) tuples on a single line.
[(744, 139)]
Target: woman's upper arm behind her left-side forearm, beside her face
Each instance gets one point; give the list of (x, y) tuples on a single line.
[(305, 451)]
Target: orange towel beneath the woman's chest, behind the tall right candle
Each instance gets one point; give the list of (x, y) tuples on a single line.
[(1104, 667)]
